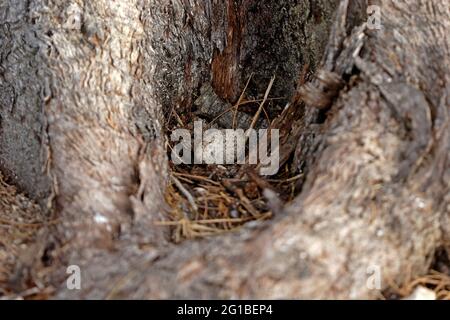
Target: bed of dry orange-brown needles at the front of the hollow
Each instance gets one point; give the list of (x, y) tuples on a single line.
[(202, 207)]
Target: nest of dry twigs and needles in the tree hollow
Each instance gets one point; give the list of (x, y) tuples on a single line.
[(210, 199)]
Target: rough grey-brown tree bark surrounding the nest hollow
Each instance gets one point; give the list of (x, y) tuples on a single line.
[(85, 85)]
